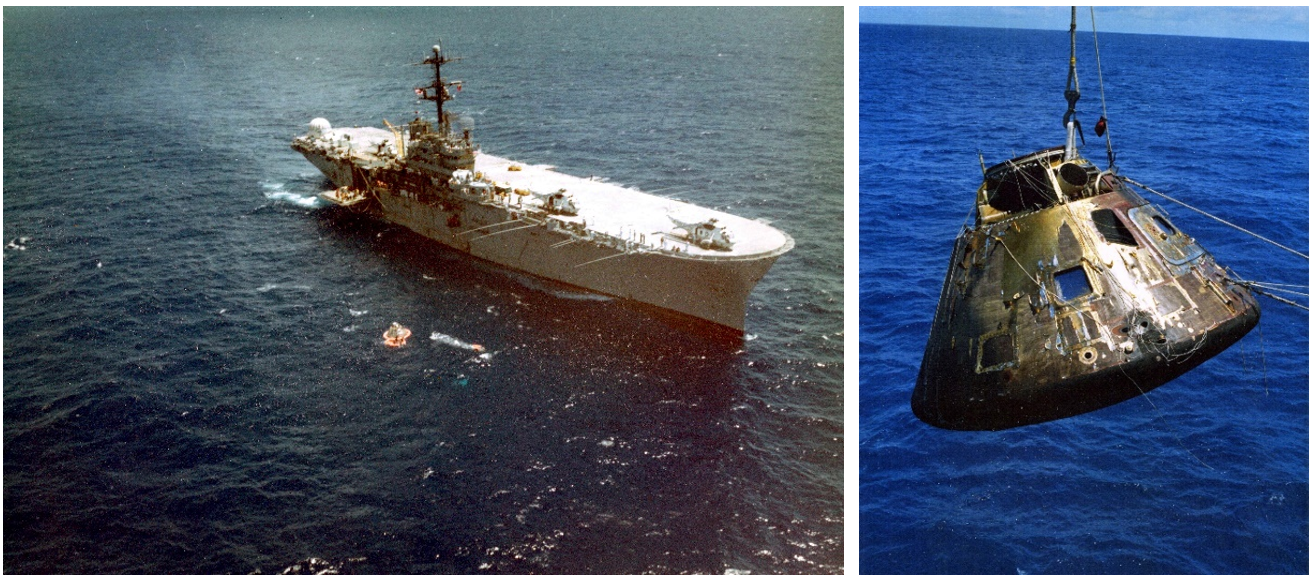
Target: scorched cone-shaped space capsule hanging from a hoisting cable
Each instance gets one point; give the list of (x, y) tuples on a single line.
[(1069, 294)]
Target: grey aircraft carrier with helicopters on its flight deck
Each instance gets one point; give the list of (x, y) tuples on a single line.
[(611, 240)]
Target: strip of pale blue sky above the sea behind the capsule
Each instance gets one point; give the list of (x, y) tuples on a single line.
[(1265, 23)]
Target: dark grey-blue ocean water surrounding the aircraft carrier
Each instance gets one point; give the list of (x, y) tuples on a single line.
[(195, 379)]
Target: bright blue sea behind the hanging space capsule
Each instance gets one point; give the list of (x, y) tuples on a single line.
[(1207, 474)]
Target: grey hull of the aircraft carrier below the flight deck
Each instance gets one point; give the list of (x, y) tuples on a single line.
[(708, 289)]
